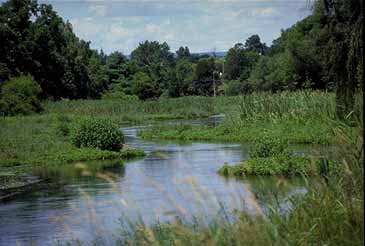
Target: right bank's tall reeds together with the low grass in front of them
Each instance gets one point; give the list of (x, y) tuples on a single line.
[(296, 117)]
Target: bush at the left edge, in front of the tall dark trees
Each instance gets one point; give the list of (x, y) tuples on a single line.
[(20, 96)]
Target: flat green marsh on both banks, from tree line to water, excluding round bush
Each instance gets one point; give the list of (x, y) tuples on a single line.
[(36, 140)]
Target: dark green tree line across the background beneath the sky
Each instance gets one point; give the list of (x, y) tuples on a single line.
[(322, 51)]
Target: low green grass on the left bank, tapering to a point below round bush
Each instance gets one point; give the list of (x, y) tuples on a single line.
[(42, 141)]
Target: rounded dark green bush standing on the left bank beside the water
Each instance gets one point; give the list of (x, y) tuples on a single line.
[(97, 133)]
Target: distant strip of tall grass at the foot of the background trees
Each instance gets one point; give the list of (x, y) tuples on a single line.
[(140, 111)]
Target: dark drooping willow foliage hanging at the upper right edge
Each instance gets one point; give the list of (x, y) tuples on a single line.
[(341, 46)]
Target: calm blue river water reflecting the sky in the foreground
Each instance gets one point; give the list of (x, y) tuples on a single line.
[(174, 179)]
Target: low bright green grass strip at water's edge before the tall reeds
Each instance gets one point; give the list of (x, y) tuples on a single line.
[(306, 132)]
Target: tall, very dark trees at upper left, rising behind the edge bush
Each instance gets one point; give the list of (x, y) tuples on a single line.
[(35, 40)]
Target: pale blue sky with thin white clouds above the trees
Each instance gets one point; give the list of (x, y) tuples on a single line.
[(202, 25)]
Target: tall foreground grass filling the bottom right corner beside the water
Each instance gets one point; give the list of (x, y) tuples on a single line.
[(330, 213)]
